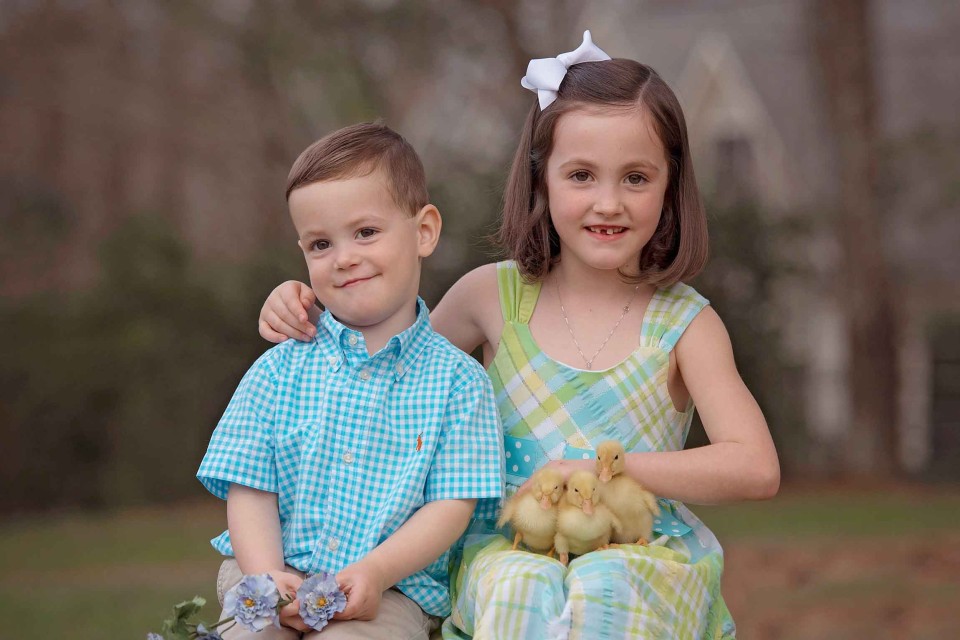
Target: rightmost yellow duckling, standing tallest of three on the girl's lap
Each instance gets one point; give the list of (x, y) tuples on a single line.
[(624, 496)]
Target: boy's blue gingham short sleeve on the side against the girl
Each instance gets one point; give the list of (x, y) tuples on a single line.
[(469, 459)]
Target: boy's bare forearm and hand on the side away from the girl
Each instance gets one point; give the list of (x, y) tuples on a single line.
[(254, 523)]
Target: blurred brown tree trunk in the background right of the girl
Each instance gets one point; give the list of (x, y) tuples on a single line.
[(844, 50)]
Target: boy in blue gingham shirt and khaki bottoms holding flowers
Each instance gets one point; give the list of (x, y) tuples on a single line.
[(364, 451)]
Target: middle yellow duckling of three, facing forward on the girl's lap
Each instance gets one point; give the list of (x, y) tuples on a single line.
[(584, 523)]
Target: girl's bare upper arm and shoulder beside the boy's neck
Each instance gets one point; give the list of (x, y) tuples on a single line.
[(469, 314)]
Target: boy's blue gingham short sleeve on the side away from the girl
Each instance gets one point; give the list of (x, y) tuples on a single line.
[(241, 449)]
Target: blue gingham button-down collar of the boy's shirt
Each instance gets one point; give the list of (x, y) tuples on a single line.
[(406, 345)]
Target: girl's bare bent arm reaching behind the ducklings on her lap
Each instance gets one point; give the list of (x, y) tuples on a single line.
[(740, 463)]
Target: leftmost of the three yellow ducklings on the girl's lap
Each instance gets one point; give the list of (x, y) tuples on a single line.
[(533, 513)]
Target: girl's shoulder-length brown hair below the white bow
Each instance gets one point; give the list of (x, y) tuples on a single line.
[(678, 249)]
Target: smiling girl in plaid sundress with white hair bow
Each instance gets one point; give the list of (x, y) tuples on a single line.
[(589, 334)]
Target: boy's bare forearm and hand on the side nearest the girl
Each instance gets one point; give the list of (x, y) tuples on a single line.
[(419, 541)]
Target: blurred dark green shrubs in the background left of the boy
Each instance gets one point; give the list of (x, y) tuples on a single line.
[(108, 396)]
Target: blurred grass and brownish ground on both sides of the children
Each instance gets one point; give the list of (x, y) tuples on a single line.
[(814, 563)]
